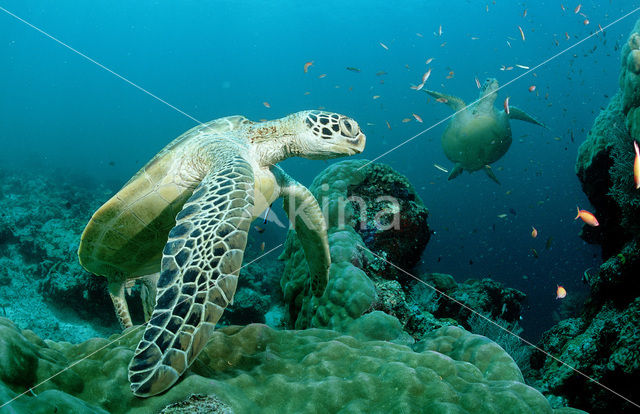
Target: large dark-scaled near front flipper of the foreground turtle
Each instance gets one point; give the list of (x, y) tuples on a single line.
[(198, 276)]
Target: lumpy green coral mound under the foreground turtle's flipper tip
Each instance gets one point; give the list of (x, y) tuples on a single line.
[(250, 369)]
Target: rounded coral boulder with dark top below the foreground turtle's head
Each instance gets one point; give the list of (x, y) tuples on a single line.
[(363, 203)]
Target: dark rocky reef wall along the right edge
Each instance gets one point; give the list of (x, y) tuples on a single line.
[(603, 343)]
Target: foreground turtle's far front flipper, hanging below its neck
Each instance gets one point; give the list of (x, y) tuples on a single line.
[(310, 227)]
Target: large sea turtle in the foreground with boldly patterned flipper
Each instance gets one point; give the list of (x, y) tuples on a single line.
[(181, 223)]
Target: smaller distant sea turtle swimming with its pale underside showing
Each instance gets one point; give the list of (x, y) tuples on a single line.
[(478, 135)]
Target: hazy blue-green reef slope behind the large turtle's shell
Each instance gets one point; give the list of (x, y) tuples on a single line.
[(42, 286)]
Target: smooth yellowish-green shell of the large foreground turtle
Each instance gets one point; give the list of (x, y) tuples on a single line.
[(125, 237)]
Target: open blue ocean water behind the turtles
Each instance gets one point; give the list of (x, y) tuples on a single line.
[(64, 114)]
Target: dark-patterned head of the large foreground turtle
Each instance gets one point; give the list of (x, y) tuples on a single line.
[(324, 135)]
